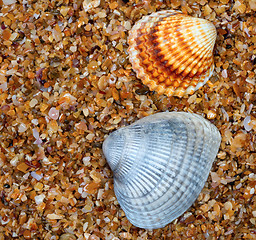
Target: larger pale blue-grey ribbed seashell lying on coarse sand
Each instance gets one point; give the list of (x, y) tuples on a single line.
[(160, 165)]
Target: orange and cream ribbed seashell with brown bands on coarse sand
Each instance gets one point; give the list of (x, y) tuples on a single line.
[(172, 52)]
